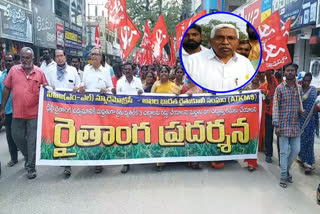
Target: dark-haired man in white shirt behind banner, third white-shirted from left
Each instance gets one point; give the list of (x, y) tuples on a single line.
[(130, 85)]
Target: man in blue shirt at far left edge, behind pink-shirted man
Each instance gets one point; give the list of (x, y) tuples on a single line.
[(8, 117)]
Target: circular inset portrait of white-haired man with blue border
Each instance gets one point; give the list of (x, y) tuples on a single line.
[(221, 52)]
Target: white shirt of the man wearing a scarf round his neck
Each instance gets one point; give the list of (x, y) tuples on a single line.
[(70, 80)]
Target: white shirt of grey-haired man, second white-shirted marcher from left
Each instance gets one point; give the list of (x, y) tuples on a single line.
[(96, 79)]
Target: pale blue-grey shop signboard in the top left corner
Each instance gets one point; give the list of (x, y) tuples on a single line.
[(16, 22)]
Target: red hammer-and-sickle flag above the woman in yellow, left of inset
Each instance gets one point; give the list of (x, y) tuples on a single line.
[(159, 36)]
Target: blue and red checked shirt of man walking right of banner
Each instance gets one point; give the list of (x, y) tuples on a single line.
[(286, 108)]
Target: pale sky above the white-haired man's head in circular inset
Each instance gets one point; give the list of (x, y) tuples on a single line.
[(225, 17)]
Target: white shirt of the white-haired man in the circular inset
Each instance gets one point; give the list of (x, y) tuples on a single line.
[(207, 70)]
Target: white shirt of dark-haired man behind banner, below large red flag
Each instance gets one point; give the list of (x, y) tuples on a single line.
[(124, 87)]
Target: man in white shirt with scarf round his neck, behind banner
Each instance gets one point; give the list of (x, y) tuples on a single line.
[(64, 76)]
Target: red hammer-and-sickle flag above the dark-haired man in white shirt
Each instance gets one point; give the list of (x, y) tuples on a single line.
[(129, 36)]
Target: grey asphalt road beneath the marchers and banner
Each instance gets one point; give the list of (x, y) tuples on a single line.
[(177, 189)]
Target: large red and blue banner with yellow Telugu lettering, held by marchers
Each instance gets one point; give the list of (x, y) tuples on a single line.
[(106, 129)]
